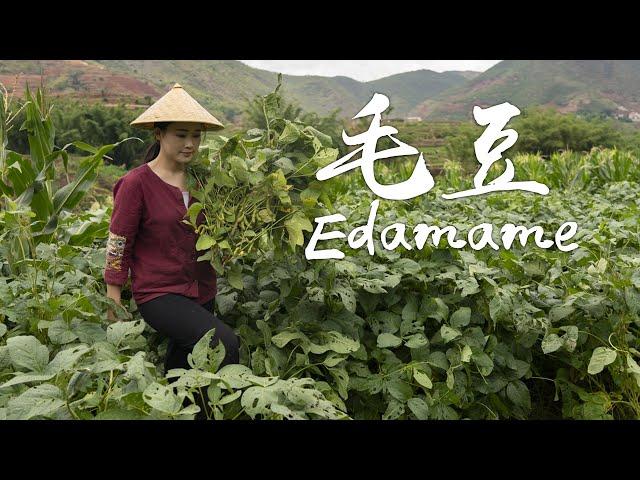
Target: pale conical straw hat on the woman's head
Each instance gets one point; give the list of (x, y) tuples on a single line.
[(177, 106)]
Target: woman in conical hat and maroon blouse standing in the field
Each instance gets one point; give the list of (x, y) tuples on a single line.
[(174, 292)]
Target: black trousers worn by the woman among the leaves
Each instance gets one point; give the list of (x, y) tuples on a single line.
[(185, 322)]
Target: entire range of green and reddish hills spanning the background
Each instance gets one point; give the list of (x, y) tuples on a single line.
[(600, 87)]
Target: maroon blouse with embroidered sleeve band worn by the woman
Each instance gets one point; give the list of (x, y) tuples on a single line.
[(147, 235)]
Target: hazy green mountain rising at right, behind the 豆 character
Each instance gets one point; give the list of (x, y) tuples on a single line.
[(609, 87)]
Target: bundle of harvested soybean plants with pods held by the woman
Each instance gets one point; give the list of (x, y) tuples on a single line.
[(257, 189)]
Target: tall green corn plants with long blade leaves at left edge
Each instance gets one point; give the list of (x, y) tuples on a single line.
[(34, 210)]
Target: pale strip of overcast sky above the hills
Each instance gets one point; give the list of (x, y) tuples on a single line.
[(366, 70)]
